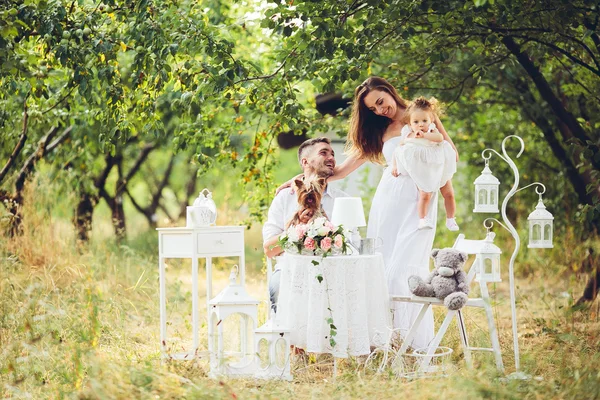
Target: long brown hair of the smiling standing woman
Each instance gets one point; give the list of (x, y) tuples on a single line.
[(365, 138)]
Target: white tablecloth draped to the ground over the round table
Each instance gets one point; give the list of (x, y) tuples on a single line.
[(355, 290)]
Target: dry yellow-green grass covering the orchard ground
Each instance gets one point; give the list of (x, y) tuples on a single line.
[(83, 322)]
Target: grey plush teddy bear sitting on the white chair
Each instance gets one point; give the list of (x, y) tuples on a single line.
[(448, 281)]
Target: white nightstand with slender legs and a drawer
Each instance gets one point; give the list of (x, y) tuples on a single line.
[(194, 243)]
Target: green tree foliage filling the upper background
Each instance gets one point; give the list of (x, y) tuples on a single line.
[(221, 82)]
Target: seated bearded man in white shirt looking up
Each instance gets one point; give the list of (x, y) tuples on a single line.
[(317, 160)]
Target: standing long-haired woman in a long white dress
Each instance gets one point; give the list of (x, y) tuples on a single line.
[(378, 115)]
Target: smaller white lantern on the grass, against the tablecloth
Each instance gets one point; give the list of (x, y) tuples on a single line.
[(272, 343)]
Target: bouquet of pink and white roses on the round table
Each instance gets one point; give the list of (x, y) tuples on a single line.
[(318, 237)]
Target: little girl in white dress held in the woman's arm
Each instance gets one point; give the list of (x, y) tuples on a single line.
[(428, 159)]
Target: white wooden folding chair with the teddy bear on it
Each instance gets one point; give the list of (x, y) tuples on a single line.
[(469, 247)]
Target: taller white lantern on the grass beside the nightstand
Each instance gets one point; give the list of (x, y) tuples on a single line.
[(232, 320)]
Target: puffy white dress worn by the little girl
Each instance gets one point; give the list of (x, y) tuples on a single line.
[(428, 163)]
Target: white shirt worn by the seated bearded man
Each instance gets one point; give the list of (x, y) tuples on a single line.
[(285, 205)]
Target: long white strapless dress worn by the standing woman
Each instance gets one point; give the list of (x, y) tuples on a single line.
[(406, 250)]
